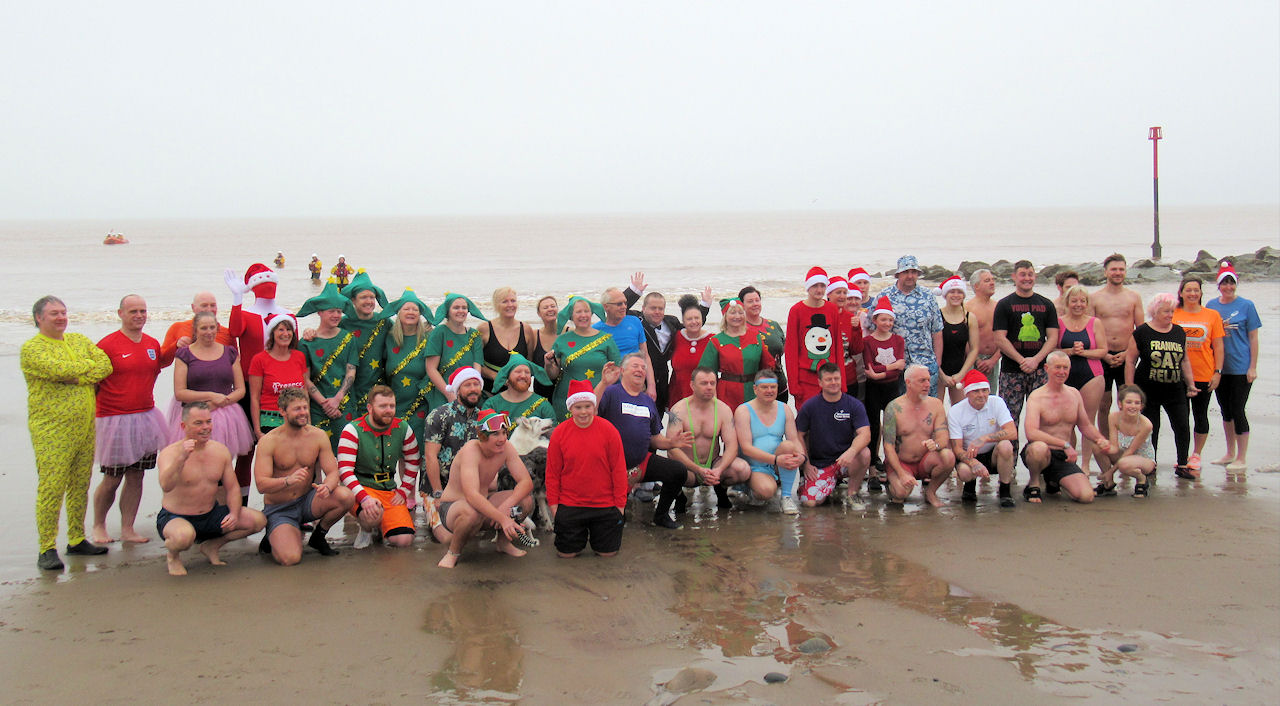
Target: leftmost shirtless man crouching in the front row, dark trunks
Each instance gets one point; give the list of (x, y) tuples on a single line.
[(190, 471)]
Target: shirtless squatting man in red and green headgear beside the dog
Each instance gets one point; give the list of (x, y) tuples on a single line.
[(467, 505)]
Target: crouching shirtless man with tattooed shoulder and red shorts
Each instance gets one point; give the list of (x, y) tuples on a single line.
[(917, 441)]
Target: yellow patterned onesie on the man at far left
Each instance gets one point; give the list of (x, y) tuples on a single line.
[(61, 378)]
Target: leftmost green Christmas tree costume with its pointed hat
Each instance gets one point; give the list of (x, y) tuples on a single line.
[(327, 365)]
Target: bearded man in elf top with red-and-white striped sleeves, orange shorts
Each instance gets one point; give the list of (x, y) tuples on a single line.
[(369, 451)]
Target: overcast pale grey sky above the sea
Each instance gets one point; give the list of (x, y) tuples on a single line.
[(316, 109)]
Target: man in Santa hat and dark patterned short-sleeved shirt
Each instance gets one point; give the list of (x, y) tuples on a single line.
[(449, 428)]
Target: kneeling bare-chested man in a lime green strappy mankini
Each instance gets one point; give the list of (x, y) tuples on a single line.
[(714, 459)]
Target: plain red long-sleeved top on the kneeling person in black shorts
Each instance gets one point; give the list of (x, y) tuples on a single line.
[(586, 467)]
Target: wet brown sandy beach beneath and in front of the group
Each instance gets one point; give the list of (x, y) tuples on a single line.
[(1168, 600)]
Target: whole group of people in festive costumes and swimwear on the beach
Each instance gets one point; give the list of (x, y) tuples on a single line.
[(387, 406)]
